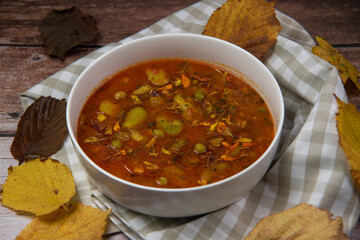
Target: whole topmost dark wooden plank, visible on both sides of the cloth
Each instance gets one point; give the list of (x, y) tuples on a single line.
[(19, 20)]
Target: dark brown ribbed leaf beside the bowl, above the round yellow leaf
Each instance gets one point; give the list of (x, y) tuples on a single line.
[(41, 129)]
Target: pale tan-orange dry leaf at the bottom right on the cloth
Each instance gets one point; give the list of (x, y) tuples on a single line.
[(300, 222)]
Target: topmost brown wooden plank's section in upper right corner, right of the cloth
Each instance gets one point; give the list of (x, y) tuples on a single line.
[(336, 21)]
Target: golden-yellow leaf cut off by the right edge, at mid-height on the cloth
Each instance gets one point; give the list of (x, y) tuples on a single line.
[(348, 126)]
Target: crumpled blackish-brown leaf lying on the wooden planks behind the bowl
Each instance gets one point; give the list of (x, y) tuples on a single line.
[(61, 30)]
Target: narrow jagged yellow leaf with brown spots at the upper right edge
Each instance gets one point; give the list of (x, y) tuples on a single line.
[(346, 70)]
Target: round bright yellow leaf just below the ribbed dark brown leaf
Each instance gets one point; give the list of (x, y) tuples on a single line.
[(38, 186)]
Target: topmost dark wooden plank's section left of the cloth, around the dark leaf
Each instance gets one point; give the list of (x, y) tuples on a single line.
[(20, 20)]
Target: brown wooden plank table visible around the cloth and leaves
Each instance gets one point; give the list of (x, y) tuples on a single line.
[(23, 62)]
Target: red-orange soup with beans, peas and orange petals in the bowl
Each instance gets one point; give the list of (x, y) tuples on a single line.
[(174, 123)]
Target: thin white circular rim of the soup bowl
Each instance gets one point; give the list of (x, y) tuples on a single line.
[(170, 190)]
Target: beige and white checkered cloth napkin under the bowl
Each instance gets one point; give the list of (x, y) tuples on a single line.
[(310, 166)]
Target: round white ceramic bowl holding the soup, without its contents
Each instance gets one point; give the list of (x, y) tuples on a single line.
[(185, 201)]
